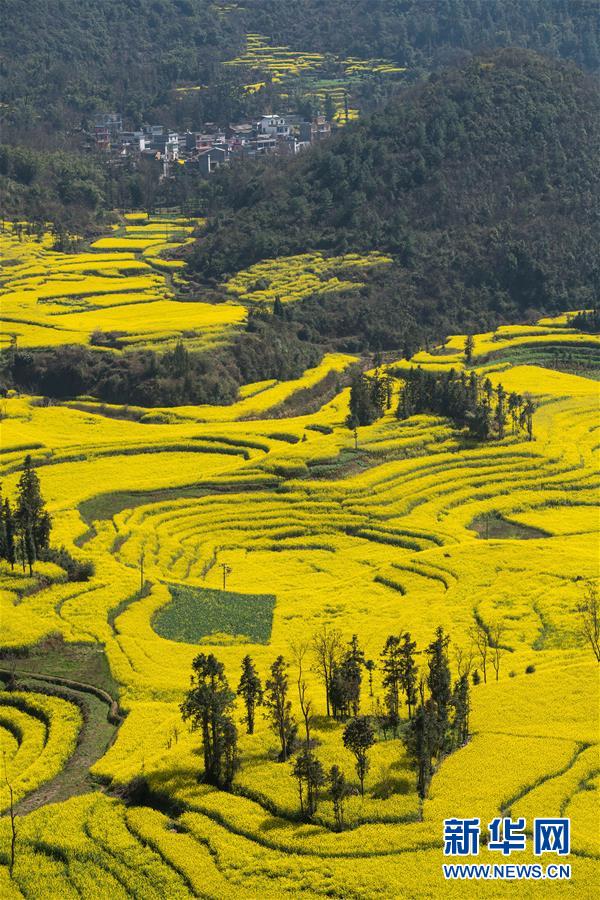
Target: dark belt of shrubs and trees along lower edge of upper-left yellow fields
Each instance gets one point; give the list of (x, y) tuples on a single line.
[(270, 348)]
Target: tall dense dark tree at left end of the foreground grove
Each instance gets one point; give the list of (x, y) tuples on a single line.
[(208, 706)]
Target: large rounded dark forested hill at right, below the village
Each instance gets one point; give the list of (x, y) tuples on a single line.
[(481, 183)]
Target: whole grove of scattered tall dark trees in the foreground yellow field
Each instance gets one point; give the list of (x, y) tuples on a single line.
[(436, 724)]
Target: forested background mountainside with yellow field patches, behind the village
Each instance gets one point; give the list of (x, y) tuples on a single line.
[(184, 62)]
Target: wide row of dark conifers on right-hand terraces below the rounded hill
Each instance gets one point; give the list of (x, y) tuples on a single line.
[(470, 401)]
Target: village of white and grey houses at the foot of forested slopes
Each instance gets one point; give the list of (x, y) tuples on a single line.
[(204, 151)]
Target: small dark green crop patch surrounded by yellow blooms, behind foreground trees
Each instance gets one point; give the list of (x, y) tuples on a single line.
[(206, 616)]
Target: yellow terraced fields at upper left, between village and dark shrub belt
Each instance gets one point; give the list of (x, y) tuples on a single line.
[(121, 287)]
